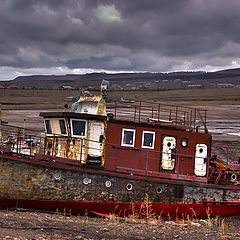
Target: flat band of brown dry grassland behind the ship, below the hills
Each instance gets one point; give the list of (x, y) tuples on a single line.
[(18, 98)]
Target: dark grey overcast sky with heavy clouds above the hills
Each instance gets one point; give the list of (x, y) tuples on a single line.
[(79, 36)]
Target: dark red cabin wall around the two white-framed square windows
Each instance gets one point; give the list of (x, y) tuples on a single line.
[(150, 160)]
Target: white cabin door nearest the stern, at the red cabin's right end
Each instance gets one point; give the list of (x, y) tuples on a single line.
[(200, 160)]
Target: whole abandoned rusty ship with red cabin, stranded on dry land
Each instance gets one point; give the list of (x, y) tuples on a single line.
[(115, 157)]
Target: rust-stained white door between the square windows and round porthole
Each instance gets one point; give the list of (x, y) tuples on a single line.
[(168, 153)]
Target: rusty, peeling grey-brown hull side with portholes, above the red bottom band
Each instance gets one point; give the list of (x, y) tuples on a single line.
[(29, 181)]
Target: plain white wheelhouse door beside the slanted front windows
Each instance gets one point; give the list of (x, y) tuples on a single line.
[(95, 139)]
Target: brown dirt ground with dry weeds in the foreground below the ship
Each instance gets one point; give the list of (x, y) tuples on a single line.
[(31, 225)]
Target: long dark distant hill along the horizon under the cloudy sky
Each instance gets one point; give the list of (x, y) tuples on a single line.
[(130, 80)]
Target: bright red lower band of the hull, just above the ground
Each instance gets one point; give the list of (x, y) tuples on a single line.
[(124, 209)]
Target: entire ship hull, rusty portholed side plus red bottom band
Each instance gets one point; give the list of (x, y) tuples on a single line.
[(34, 184)]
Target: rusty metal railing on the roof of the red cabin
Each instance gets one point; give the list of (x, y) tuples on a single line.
[(158, 113)]
